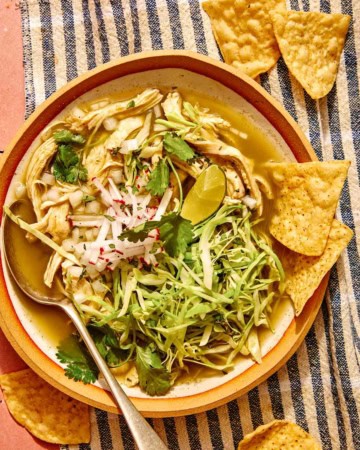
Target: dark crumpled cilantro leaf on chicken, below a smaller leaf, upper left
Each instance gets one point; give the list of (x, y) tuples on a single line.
[(67, 166)]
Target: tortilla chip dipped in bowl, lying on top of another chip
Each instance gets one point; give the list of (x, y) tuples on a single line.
[(305, 201)]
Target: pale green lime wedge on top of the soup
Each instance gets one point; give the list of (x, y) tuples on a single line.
[(206, 196)]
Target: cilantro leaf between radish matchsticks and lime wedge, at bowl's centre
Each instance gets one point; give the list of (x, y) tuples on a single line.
[(175, 232)]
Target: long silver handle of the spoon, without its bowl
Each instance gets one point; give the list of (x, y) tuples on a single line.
[(144, 436)]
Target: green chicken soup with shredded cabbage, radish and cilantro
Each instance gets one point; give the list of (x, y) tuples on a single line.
[(165, 295)]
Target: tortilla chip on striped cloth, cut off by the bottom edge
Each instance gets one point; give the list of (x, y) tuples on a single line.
[(279, 434)]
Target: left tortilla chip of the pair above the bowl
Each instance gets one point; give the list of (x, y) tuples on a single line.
[(244, 33)]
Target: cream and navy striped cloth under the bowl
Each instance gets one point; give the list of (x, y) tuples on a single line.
[(319, 387)]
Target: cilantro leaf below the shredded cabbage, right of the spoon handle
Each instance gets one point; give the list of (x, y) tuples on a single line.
[(153, 377)]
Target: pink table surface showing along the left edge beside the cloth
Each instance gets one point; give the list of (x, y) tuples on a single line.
[(12, 107)]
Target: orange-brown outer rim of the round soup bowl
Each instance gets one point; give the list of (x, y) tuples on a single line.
[(294, 138)]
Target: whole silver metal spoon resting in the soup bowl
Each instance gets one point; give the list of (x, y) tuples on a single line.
[(144, 436)]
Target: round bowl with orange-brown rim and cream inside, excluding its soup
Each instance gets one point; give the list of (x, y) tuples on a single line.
[(219, 81)]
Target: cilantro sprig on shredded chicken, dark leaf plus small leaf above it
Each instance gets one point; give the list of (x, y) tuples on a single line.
[(67, 166)]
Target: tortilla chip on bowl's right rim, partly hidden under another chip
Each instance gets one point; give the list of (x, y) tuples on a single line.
[(304, 273)]
